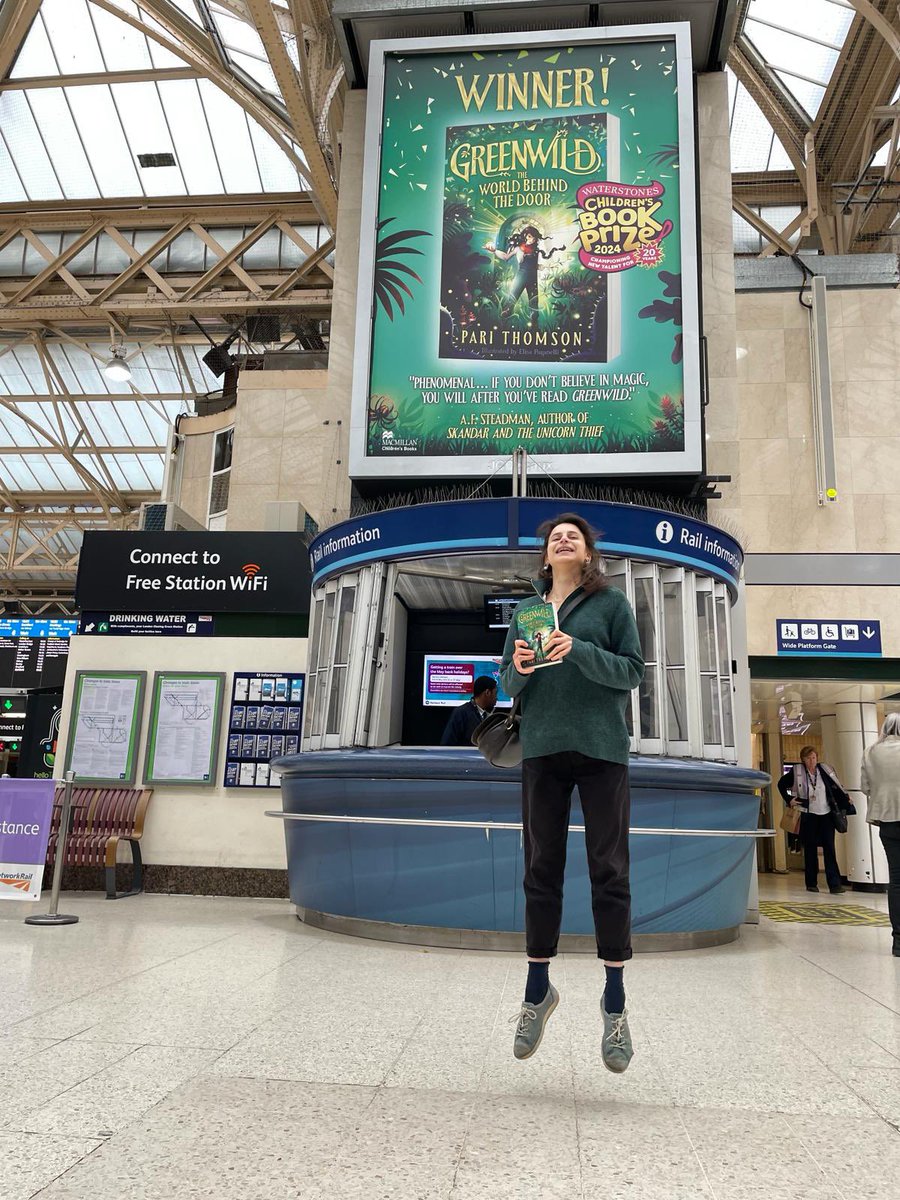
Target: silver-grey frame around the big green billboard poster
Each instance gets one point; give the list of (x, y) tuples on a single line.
[(683, 463)]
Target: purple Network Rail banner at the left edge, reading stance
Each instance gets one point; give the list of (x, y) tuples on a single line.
[(26, 813)]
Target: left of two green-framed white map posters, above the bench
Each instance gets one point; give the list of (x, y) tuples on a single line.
[(105, 727)]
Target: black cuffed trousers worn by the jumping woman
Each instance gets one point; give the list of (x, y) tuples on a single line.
[(548, 785)]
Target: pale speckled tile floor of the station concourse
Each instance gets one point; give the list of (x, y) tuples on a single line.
[(183, 1048)]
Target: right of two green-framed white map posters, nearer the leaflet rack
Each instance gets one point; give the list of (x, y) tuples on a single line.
[(183, 734)]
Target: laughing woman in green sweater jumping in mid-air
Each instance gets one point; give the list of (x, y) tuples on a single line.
[(574, 735)]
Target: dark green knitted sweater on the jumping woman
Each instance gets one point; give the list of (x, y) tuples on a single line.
[(581, 704)]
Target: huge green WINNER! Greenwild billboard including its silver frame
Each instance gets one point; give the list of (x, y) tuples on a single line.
[(529, 272)]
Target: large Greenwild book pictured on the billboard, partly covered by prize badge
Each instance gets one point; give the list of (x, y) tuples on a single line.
[(512, 285)]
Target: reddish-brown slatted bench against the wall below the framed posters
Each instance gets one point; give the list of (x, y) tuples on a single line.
[(101, 819)]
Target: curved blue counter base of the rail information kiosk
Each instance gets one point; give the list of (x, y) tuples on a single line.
[(376, 865)]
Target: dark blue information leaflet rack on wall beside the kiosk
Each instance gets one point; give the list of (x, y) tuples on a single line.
[(265, 723)]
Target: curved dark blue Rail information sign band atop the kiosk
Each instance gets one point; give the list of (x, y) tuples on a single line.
[(628, 531)]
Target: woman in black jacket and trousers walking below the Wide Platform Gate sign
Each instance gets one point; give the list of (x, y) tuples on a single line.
[(814, 789)]
